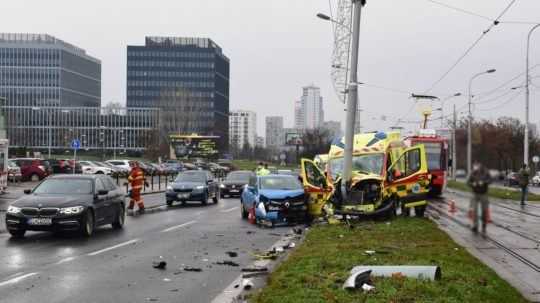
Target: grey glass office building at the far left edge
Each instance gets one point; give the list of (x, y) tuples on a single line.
[(41, 70)]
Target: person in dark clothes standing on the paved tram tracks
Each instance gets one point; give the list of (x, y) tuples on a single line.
[(479, 180)]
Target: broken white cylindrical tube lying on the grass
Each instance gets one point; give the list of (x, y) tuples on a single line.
[(419, 272)]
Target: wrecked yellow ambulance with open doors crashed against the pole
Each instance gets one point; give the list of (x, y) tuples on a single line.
[(386, 176)]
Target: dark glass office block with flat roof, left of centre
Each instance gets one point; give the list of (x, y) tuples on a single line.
[(188, 78)]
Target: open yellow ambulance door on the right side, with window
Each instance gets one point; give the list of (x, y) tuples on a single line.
[(408, 177)]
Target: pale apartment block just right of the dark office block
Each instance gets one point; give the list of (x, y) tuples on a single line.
[(242, 128)]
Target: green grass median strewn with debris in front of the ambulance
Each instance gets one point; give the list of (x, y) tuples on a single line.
[(316, 270)]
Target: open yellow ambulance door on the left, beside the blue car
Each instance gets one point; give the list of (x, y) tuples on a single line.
[(316, 187)]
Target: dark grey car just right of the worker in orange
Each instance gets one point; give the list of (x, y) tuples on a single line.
[(193, 185)]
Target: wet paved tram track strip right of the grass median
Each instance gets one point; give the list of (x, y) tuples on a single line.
[(512, 245)]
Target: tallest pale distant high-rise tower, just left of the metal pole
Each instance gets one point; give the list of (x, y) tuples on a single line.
[(309, 111)]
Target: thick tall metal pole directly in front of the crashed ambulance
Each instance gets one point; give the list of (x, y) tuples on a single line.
[(352, 101)]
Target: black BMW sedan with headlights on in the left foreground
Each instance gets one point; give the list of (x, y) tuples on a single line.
[(68, 203)]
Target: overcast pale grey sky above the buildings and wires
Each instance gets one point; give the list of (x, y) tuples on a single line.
[(278, 46)]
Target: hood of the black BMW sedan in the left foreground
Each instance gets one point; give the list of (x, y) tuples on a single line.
[(33, 200)]
